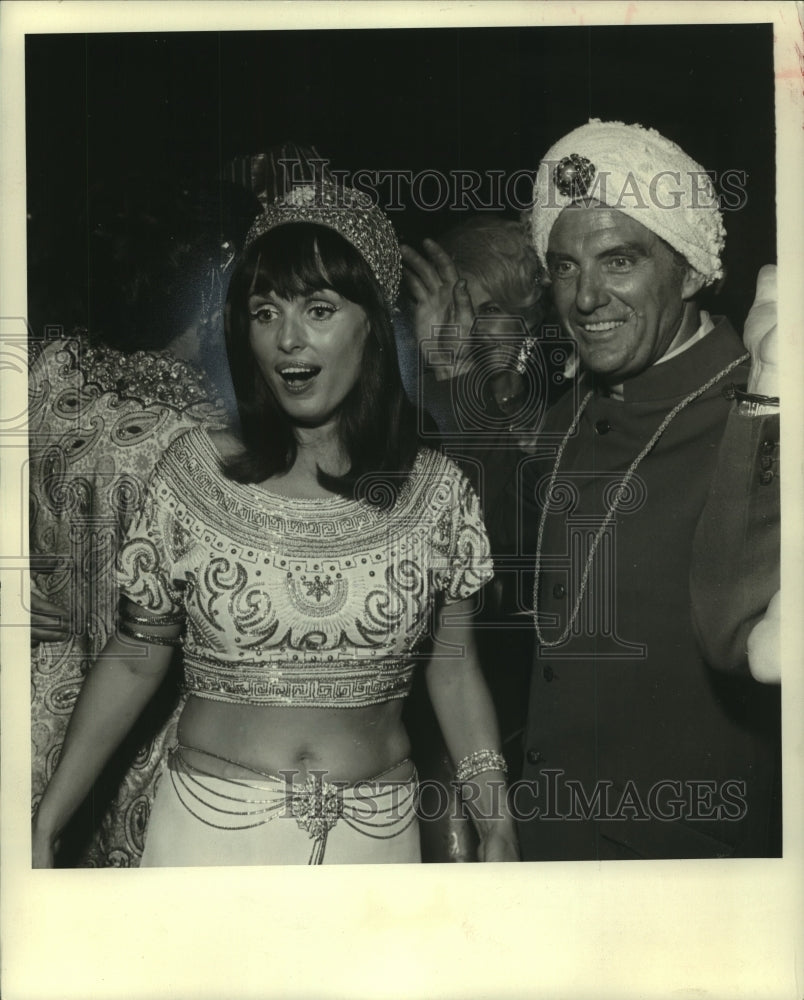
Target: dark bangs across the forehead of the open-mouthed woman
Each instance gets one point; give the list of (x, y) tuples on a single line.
[(301, 258)]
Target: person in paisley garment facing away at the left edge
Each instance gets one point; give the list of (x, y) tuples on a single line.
[(103, 407)]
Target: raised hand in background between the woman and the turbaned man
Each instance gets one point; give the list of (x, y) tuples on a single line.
[(443, 312)]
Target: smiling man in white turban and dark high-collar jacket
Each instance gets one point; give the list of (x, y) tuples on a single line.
[(636, 746)]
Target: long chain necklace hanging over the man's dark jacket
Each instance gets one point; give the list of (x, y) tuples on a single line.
[(619, 493)]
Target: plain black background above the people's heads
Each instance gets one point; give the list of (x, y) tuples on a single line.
[(102, 108)]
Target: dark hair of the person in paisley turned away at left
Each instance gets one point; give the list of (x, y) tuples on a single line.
[(153, 255)]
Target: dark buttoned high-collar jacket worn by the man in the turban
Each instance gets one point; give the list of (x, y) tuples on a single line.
[(671, 759)]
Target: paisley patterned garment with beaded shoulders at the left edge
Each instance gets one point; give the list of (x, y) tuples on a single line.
[(98, 422)]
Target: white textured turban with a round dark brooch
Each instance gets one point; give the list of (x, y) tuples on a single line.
[(641, 174)]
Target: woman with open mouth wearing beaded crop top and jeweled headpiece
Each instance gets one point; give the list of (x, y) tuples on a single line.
[(308, 565)]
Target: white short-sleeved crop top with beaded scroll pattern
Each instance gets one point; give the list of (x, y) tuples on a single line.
[(310, 603)]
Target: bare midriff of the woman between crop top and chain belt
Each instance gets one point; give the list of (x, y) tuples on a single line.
[(349, 744)]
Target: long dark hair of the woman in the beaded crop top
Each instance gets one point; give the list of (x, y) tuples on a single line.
[(377, 423)]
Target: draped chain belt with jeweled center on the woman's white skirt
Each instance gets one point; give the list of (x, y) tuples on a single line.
[(316, 805)]
